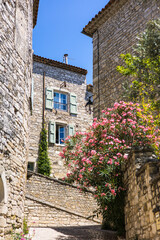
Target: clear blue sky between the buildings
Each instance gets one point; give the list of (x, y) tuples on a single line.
[(58, 31)]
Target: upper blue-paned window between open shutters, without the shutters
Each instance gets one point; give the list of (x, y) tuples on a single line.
[(60, 101)]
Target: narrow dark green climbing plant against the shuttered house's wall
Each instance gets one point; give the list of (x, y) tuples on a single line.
[(43, 160)]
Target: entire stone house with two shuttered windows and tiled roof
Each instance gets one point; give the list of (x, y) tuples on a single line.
[(65, 112)]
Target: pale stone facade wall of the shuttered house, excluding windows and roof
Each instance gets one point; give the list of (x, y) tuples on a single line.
[(75, 83)]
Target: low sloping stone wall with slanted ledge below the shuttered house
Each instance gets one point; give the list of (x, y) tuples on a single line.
[(50, 202)]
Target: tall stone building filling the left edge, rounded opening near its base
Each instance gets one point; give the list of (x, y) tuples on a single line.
[(17, 19)]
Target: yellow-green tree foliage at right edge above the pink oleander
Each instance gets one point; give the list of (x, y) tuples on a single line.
[(144, 68)]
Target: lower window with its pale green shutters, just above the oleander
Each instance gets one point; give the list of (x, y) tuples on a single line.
[(58, 132)]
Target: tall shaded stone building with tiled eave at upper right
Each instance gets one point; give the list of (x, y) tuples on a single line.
[(114, 30)]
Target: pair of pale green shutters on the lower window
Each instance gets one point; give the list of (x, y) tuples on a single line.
[(52, 131)]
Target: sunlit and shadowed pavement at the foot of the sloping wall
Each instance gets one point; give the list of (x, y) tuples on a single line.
[(72, 233)]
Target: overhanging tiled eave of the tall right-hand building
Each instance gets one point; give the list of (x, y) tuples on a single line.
[(99, 19)]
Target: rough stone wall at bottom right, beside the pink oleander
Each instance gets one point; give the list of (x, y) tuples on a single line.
[(142, 205)]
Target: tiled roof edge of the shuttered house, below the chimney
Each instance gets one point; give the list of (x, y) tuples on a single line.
[(59, 64)]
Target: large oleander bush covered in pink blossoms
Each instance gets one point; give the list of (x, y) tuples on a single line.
[(94, 158)]
